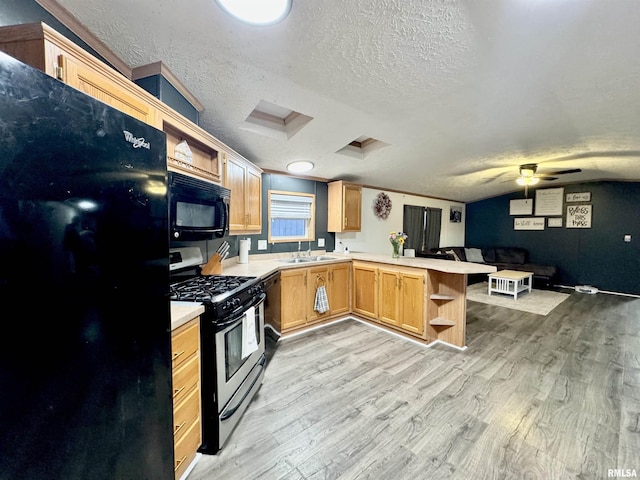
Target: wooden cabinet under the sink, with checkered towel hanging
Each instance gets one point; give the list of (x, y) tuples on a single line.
[(303, 283)]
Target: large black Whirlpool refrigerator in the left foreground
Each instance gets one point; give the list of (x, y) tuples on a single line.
[(85, 360)]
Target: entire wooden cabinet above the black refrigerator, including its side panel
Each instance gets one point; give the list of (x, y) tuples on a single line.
[(42, 47)]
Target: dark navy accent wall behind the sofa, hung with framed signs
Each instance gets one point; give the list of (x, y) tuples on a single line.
[(595, 256)]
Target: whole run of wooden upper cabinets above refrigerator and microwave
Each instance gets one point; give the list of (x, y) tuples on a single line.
[(42, 47)]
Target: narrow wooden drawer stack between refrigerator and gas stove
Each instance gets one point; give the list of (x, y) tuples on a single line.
[(185, 343)]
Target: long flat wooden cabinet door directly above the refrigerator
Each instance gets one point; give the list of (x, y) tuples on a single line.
[(85, 79)]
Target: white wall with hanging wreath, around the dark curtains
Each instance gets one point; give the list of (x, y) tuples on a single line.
[(374, 237)]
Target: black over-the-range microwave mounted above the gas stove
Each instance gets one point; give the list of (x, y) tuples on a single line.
[(198, 210)]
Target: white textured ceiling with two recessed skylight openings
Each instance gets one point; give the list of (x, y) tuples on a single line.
[(462, 92)]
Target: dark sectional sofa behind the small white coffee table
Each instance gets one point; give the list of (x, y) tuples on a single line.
[(504, 258)]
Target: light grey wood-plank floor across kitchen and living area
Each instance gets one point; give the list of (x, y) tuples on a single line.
[(538, 397)]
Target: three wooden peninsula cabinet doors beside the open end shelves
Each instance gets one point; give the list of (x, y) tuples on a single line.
[(393, 296)]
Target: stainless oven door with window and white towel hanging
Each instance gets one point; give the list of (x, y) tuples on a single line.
[(238, 350)]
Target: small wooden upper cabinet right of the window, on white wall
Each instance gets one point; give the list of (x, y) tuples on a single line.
[(344, 207)]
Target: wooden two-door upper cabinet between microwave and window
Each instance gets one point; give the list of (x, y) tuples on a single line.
[(245, 182)]
